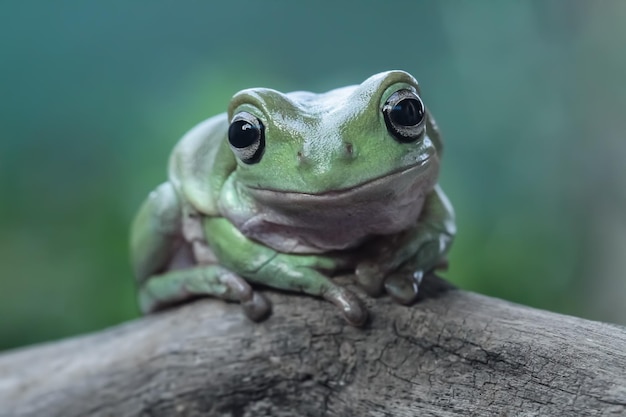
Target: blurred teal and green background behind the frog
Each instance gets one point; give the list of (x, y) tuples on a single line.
[(530, 97)]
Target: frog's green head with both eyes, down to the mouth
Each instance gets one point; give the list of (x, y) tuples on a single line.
[(334, 143)]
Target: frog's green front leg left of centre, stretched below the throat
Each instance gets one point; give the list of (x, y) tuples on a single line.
[(263, 265)]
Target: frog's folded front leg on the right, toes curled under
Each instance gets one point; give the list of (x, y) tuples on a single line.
[(399, 261)]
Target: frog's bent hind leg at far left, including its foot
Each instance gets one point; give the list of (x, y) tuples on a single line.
[(166, 267)]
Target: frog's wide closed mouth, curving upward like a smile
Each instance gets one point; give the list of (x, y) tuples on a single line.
[(378, 187)]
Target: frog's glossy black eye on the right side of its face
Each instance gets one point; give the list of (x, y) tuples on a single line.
[(404, 115)]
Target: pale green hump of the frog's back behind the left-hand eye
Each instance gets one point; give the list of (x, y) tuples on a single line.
[(200, 163)]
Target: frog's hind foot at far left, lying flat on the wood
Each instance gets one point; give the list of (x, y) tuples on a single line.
[(211, 280)]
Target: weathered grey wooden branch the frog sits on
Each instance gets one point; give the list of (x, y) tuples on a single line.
[(452, 354)]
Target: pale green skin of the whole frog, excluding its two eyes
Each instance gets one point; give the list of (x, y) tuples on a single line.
[(333, 191)]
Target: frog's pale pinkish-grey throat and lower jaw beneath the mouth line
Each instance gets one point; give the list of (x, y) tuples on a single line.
[(296, 222)]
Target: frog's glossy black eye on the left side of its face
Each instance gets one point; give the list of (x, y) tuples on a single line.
[(246, 135)]
